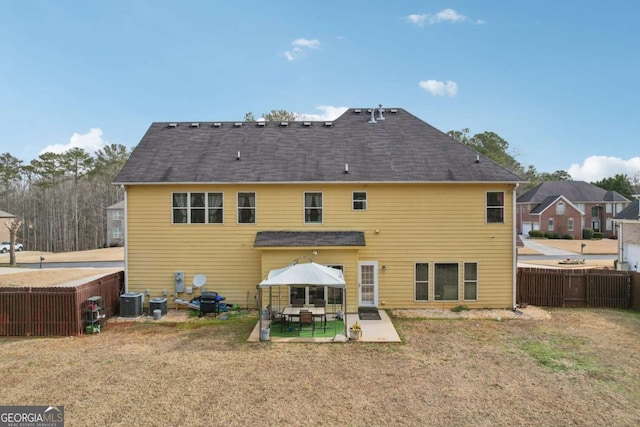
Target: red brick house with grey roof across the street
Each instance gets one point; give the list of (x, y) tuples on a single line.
[(568, 207)]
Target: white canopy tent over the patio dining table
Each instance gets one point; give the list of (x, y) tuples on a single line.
[(307, 274)]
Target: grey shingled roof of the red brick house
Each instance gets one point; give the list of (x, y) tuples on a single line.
[(575, 191)]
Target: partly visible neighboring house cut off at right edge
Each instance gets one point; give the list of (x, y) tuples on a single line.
[(628, 224)]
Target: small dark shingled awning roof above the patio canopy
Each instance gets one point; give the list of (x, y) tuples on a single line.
[(309, 238)]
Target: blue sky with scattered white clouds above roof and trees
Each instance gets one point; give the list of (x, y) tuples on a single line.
[(557, 79)]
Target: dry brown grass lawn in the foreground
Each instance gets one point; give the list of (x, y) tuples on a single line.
[(577, 368)]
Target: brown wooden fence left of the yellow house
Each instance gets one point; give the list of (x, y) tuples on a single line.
[(34, 311)]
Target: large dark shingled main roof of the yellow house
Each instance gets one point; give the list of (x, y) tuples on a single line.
[(401, 148)]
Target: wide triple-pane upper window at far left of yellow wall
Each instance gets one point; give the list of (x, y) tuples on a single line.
[(197, 208)]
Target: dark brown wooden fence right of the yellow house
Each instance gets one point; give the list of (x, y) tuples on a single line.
[(576, 288)]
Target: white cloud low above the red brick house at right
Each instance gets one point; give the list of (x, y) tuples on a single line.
[(595, 168)]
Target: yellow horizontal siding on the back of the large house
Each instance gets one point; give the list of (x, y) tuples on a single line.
[(403, 224)]
